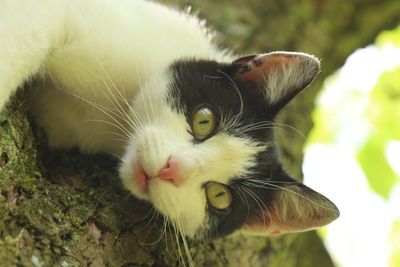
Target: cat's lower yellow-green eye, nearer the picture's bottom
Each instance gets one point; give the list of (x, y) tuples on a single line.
[(218, 195)]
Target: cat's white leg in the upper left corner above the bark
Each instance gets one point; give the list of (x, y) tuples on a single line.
[(29, 30)]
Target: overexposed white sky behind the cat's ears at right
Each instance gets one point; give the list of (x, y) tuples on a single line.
[(360, 237)]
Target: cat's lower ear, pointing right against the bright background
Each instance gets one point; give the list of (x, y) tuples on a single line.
[(295, 208)]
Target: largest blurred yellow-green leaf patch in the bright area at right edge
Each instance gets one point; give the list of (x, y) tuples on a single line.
[(383, 112)]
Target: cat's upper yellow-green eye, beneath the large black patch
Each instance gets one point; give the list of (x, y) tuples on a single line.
[(203, 123)]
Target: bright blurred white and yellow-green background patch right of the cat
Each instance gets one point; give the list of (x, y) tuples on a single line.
[(355, 146)]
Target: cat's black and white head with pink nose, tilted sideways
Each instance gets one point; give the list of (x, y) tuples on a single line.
[(204, 152)]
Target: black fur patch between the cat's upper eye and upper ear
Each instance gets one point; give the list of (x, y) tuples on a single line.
[(197, 82)]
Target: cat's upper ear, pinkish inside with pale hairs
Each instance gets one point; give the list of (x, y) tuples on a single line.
[(279, 75)]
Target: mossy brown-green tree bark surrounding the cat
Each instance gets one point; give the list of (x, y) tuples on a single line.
[(61, 208)]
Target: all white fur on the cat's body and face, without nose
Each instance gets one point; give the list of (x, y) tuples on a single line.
[(100, 71)]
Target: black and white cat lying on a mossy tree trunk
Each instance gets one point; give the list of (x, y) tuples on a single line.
[(196, 122)]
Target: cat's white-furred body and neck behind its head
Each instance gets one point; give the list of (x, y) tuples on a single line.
[(71, 43)]
